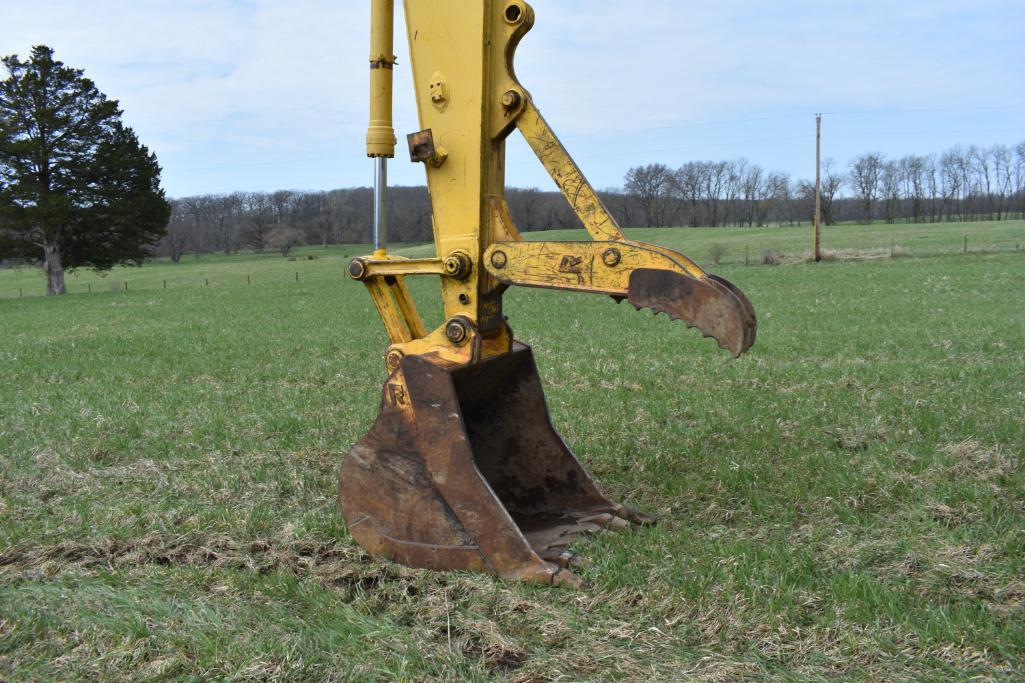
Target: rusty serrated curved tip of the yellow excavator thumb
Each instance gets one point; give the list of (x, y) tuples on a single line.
[(714, 306)]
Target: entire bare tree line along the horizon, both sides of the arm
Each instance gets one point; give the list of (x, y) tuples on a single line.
[(962, 184)]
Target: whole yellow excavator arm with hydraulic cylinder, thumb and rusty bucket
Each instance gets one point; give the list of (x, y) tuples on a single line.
[(463, 469)]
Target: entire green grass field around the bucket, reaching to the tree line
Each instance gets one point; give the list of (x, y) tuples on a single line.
[(846, 501)]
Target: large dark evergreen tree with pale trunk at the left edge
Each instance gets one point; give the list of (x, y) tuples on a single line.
[(77, 189)]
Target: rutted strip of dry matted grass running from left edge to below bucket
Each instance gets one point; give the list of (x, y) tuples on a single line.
[(443, 607)]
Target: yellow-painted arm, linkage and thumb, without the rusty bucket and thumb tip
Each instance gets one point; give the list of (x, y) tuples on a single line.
[(468, 95)]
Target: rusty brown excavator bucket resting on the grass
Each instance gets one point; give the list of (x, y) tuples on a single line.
[(464, 470)]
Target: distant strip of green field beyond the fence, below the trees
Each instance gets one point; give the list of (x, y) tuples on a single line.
[(734, 246)]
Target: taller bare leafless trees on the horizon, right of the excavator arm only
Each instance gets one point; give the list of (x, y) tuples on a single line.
[(962, 184)]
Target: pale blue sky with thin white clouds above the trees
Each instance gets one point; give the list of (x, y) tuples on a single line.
[(266, 95)]
